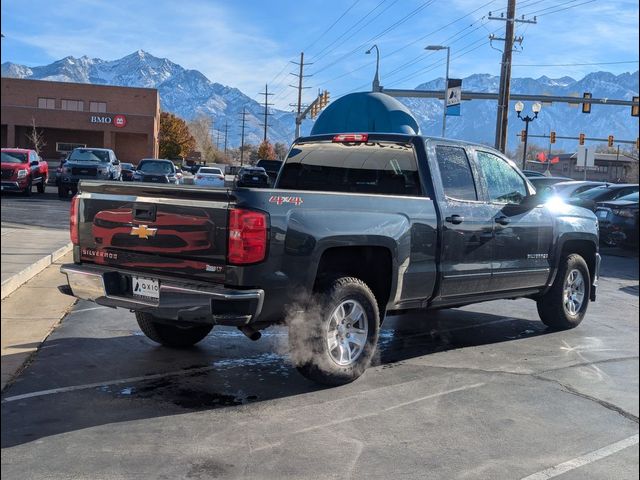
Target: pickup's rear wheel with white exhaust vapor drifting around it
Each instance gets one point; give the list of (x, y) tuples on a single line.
[(309, 335)]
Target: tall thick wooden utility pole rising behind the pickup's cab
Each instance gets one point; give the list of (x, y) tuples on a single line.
[(502, 118)]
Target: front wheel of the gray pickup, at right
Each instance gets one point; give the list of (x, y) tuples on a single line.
[(554, 307)]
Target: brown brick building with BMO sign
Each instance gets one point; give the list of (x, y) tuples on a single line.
[(70, 115)]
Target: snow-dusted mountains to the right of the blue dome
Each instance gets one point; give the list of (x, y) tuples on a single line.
[(477, 120)]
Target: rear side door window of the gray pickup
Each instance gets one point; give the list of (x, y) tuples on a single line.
[(455, 170)]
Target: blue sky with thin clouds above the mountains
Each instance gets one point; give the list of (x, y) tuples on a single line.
[(247, 43)]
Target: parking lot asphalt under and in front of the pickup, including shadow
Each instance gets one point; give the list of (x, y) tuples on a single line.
[(484, 391)]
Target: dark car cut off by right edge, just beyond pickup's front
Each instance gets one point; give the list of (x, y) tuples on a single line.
[(618, 220)]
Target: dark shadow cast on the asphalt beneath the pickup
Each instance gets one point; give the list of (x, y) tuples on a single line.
[(224, 372)]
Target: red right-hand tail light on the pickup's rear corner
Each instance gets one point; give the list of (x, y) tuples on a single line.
[(247, 236)]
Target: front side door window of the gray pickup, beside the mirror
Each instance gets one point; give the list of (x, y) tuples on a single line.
[(503, 182)]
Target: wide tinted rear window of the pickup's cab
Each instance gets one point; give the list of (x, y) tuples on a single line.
[(373, 167)]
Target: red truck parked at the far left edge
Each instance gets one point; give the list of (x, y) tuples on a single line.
[(22, 169)]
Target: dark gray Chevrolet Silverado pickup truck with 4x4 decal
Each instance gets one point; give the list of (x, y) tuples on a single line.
[(357, 226)]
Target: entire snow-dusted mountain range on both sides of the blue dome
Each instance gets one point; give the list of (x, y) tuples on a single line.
[(188, 92)]
